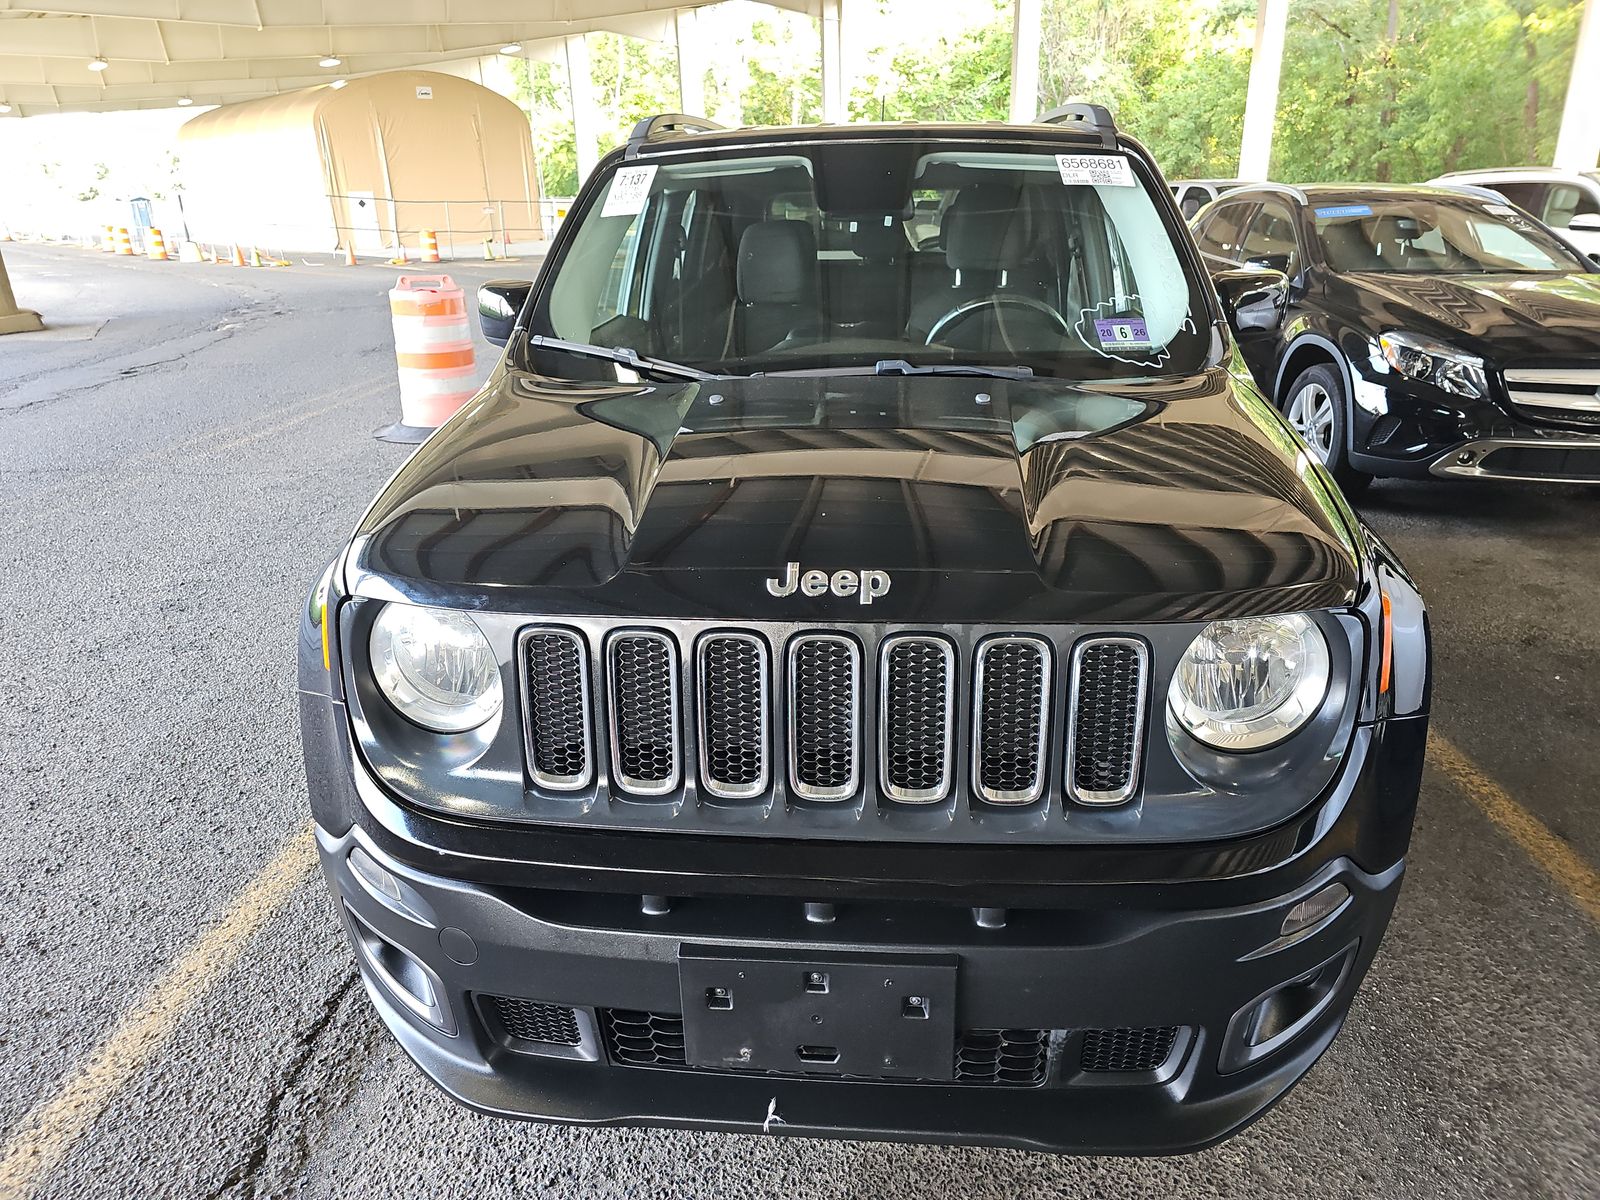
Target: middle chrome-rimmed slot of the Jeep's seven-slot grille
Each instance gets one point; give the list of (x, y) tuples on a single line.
[(825, 716)]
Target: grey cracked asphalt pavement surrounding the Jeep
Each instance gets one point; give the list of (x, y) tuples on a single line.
[(188, 446)]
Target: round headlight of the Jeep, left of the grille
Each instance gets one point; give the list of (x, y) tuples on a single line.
[(436, 668)]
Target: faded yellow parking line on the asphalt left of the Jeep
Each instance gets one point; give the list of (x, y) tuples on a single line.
[(42, 1138)]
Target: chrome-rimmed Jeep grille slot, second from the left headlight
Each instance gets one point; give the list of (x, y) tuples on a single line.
[(642, 681)]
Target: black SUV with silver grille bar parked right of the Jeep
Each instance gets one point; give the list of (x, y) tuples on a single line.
[(1417, 332)]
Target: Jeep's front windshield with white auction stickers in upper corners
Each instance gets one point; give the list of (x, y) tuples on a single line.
[(876, 254)]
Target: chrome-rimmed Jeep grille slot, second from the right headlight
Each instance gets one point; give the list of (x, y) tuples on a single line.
[(1014, 718)]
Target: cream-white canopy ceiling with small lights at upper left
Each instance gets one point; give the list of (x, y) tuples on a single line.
[(217, 52)]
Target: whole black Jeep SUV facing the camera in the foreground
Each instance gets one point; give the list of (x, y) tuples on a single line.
[(863, 676)]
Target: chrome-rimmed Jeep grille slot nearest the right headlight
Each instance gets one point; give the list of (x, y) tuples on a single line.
[(1106, 730)]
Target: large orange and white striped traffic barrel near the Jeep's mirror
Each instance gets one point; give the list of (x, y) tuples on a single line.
[(433, 350)]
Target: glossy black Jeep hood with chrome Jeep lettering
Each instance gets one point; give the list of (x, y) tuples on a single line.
[(982, 500)]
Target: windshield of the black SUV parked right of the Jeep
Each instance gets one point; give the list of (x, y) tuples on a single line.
[(1438, 238)]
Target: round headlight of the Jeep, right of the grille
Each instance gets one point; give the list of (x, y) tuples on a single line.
[(1249, 684)]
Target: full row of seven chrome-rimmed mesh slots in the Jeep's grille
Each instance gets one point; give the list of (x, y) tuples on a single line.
[(822, 678)]
